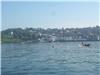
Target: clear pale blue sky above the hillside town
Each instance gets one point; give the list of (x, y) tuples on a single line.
[(53, 14)]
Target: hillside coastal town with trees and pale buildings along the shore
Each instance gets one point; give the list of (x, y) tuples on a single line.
[(51, 35)]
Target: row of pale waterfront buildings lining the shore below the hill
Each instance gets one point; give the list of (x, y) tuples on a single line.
[(53, 37)]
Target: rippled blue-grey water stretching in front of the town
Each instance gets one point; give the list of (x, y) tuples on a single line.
[(66, 58)]
